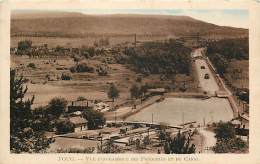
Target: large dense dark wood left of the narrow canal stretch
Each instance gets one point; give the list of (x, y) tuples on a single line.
[(169, 57)]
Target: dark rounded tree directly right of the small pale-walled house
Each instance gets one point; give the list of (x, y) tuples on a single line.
[(95, 118)]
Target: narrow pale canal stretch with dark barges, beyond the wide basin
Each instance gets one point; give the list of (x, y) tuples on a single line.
[(209, 85)]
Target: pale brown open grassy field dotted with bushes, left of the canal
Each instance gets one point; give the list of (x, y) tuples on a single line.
[(90, 85)]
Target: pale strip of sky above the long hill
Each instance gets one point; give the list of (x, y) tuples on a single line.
[(225, 17)]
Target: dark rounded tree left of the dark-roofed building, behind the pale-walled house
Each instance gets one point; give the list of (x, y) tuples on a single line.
[(57, 107)]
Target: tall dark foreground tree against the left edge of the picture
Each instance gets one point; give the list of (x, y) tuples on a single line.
[(24, 135)]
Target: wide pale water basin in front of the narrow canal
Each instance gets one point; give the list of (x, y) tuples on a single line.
[(175, 111)]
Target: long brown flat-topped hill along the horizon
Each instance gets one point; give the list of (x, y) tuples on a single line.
[(55, 24)]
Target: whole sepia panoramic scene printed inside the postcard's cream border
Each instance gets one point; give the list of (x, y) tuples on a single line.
[(128, 82)]
